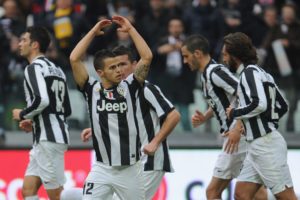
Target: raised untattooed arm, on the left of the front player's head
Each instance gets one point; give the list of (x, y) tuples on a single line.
[(79, 71)]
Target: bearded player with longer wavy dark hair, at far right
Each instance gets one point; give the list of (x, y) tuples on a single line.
[(260, 107)]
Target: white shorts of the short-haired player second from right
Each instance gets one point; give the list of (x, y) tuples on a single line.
[(228, 166)]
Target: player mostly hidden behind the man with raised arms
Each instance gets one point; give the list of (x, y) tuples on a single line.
[(157, 117)]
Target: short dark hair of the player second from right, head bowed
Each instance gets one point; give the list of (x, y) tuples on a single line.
[(197, 42)]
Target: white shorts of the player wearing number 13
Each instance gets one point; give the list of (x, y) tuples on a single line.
[(46, 160)]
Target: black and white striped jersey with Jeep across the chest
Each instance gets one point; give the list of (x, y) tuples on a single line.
[(113, 122)]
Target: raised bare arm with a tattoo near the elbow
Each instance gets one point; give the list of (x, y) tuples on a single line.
[(143, 65)]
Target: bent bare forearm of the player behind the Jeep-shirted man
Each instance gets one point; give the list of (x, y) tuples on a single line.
[(169, 124)]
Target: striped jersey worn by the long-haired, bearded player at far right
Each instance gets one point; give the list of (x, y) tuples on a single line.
[(261, 103)]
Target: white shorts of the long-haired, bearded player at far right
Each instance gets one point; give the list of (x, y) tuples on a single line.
[(266, 163)]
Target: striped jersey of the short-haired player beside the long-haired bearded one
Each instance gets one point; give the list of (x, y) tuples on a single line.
[(219, 87)]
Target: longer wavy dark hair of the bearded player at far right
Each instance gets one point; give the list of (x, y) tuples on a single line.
[(240, 46)]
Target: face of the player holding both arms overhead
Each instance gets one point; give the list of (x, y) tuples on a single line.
[(111, 72)]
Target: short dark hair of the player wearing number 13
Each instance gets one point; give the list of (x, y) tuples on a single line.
[(41, 35)]
